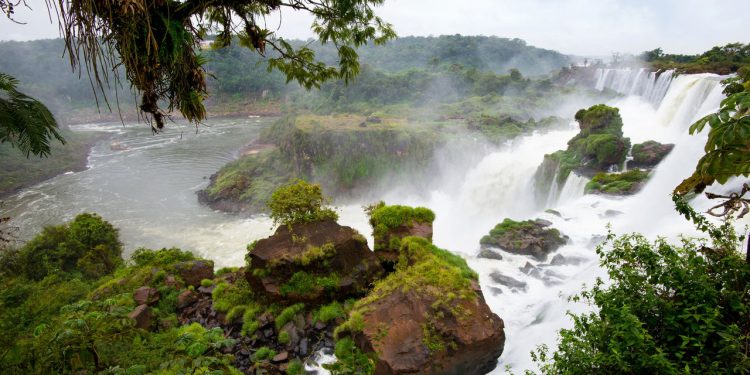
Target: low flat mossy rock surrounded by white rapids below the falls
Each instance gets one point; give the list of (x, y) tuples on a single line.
[(530, 237)]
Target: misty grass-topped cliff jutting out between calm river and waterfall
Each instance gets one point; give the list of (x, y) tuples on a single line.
[(333, 151)]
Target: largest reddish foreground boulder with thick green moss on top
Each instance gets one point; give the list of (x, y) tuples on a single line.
[(427, 317)]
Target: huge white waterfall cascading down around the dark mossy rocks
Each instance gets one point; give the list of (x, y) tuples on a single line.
[(500, 186)]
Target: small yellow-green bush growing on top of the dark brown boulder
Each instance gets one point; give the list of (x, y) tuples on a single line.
[(299, 202)]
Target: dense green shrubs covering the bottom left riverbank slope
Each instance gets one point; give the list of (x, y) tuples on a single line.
[(66, 299)]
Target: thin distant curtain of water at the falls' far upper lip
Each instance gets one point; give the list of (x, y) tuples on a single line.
[(651, 86)]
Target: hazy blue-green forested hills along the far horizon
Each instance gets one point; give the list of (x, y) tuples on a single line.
[(404, 69)]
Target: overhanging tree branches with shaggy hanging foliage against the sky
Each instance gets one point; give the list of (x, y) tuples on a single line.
[(157, 43)]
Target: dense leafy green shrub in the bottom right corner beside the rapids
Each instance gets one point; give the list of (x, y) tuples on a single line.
[(668, 309)]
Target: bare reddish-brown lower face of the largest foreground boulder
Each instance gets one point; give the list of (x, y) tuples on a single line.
[(395, 327)]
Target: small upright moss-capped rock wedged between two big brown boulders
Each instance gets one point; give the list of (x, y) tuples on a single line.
[(392, 223)]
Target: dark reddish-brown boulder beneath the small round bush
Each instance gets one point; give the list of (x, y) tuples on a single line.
[(276, 259)]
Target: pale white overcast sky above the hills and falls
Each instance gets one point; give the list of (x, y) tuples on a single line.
[(583, 27)]
